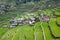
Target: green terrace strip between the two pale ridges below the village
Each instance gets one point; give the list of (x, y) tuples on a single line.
[(38, 31)]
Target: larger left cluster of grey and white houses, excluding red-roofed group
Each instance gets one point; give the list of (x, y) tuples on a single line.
[(20, 22)]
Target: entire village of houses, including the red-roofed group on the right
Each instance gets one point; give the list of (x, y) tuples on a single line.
[(31, 21)]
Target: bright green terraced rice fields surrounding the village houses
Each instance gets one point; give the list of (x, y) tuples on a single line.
[(40, 31)]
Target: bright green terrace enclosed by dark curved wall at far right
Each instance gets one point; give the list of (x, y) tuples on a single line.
[(54, 29)]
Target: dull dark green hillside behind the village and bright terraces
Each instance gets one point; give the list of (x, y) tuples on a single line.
[(8, 8)]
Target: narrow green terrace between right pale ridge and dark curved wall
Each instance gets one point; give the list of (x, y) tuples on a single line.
[(47, 31)]
